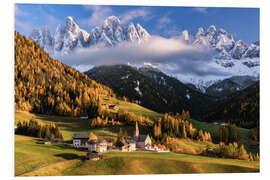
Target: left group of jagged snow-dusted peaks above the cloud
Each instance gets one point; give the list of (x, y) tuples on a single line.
[(69, 37)]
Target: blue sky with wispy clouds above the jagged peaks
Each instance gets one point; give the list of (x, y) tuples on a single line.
[(243, 23)]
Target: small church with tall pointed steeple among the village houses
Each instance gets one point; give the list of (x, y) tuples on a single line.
[(142, 141)]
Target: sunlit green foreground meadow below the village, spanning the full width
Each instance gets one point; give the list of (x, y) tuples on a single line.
[(35, 159)]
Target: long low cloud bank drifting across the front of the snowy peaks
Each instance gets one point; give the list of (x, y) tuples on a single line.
[(172, 55)]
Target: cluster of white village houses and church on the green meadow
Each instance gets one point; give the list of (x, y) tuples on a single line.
[(96, 145)]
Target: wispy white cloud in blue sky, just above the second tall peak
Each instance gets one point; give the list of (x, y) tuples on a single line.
[(130, 15)]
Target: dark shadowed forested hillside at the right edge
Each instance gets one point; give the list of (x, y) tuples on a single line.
[(241, 108)]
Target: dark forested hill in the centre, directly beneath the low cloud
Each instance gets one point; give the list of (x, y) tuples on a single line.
[(150, 88)]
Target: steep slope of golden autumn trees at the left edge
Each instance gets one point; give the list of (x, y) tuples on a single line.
[(47, 86)]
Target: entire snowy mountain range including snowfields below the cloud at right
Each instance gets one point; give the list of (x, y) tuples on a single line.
[(234, 57)]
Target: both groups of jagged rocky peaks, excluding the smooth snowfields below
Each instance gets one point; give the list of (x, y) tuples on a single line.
[(112, 32)]
